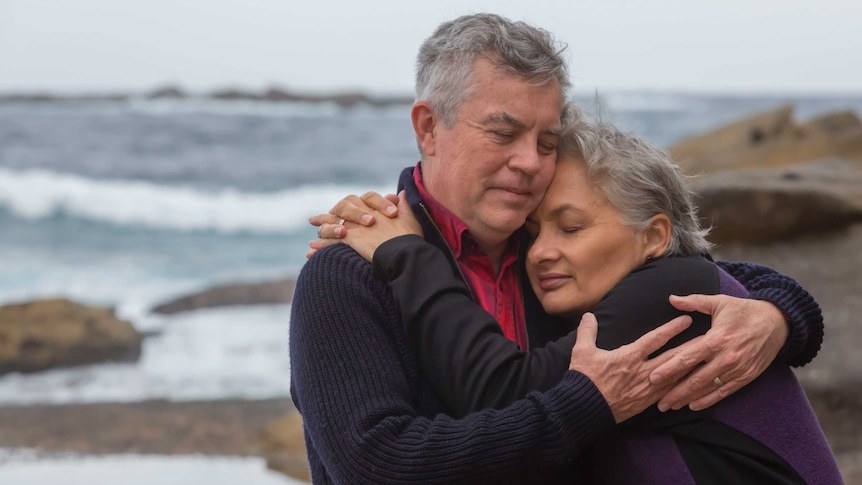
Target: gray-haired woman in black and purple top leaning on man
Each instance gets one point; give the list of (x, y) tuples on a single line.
[(616, 234)]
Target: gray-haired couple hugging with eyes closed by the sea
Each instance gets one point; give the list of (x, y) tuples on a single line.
[(452, 339)]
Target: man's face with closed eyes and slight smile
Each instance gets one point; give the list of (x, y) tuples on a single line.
[(493, 165)]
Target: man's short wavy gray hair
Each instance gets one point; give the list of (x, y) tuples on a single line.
[(445, 61)]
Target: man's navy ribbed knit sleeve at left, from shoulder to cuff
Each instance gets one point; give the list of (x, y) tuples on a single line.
[(371, 417)]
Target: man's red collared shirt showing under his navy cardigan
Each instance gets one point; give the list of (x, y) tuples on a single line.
[(498, 293)]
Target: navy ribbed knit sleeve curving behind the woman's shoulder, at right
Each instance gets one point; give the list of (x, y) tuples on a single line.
[(803, 313)]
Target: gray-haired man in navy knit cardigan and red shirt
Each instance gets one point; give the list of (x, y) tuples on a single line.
[(487, 120)]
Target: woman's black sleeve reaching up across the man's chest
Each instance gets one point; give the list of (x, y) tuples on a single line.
[(459, 345)]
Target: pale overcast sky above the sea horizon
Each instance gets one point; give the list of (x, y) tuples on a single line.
[(786, 46)]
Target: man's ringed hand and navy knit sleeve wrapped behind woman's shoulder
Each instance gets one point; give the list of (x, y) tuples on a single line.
[(746, 337)]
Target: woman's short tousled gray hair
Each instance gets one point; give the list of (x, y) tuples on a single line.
[(638, 178)]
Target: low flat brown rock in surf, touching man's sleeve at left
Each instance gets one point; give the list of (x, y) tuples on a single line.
[(271, 292)]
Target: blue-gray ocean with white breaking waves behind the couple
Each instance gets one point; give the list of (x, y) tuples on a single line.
[(128, 204)]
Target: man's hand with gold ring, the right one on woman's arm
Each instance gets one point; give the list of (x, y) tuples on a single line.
[(745, 338)]
